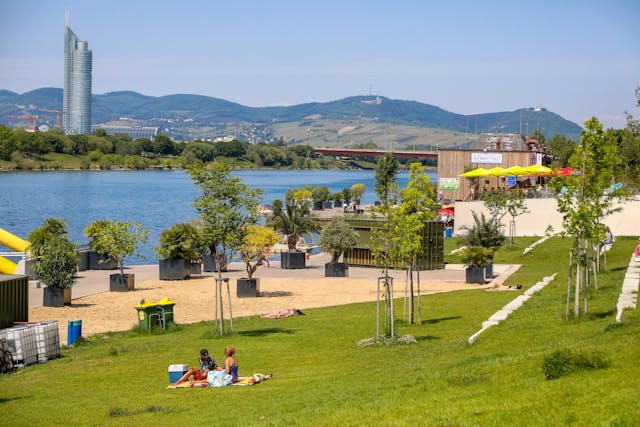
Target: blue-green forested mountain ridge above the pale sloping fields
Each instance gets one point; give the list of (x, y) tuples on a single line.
[(191, 111)]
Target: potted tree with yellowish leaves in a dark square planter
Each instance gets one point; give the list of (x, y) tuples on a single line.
[(254, 253)]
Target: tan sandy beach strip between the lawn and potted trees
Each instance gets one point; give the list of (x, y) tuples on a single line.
[(103, 311)]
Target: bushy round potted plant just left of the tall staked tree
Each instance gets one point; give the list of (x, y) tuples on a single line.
[(179, 245)]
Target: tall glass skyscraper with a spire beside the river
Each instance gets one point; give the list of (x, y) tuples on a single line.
[(76, 99)]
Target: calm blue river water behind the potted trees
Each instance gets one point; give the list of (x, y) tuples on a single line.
[(155, 199)]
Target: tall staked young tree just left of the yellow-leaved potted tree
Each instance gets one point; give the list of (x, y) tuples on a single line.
[(226, 207)]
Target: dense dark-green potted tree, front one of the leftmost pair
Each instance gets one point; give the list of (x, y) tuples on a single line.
[(56, 261)]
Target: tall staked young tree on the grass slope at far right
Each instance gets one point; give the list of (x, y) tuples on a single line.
[(584, 200)]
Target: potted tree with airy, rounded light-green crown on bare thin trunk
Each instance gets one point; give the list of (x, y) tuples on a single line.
[(118, 240)]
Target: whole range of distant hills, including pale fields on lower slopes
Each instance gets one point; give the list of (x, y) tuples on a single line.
[(194, 116)]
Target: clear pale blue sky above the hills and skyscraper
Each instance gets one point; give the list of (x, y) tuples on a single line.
[(577, 58)]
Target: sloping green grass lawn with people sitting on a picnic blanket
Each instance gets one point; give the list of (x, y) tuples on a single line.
[(322, 378)]
